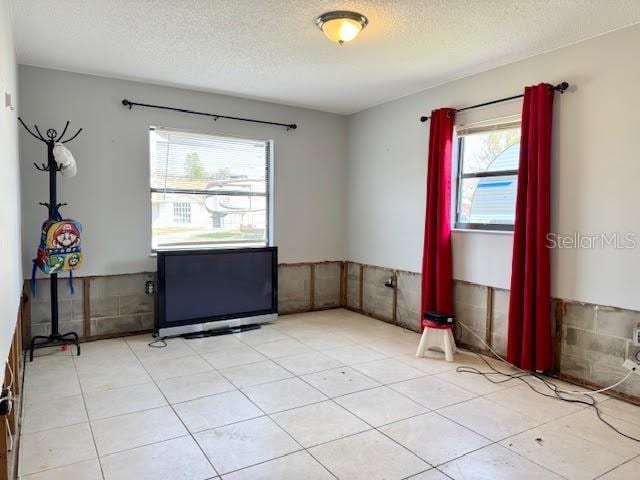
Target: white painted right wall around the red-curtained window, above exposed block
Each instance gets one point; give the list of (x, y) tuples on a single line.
[(596, 170)]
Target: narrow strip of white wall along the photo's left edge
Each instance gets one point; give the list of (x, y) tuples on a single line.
[(11, 278)]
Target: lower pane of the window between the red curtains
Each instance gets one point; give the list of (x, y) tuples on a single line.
[(488, 200)]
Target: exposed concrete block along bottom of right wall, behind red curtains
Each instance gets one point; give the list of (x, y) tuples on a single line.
[(591, 341)]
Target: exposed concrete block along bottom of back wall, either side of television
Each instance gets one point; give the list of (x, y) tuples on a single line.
[(118, 304)]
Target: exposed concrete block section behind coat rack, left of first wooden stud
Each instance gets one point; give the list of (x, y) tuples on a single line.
[(70, 307)]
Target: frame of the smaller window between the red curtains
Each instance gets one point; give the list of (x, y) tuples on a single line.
[(460, 175)]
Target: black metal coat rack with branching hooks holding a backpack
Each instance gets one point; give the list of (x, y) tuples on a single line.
[(55, 338)]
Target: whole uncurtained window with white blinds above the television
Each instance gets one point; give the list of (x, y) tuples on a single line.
[(208, 191)]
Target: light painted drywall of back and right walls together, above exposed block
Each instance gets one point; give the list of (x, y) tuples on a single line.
[(380, 220)]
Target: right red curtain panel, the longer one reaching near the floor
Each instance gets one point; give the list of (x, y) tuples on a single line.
[(529, 328)]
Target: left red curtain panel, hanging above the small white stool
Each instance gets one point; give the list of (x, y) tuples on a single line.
[(437, 263)]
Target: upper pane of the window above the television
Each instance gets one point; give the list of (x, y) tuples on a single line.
[(188, 161)]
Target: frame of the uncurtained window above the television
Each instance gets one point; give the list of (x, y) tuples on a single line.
[(268, 194)]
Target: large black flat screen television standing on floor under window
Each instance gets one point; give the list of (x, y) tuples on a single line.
[(206, 289)]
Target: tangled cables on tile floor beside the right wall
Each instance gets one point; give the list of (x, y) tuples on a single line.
[(557, 392)]
